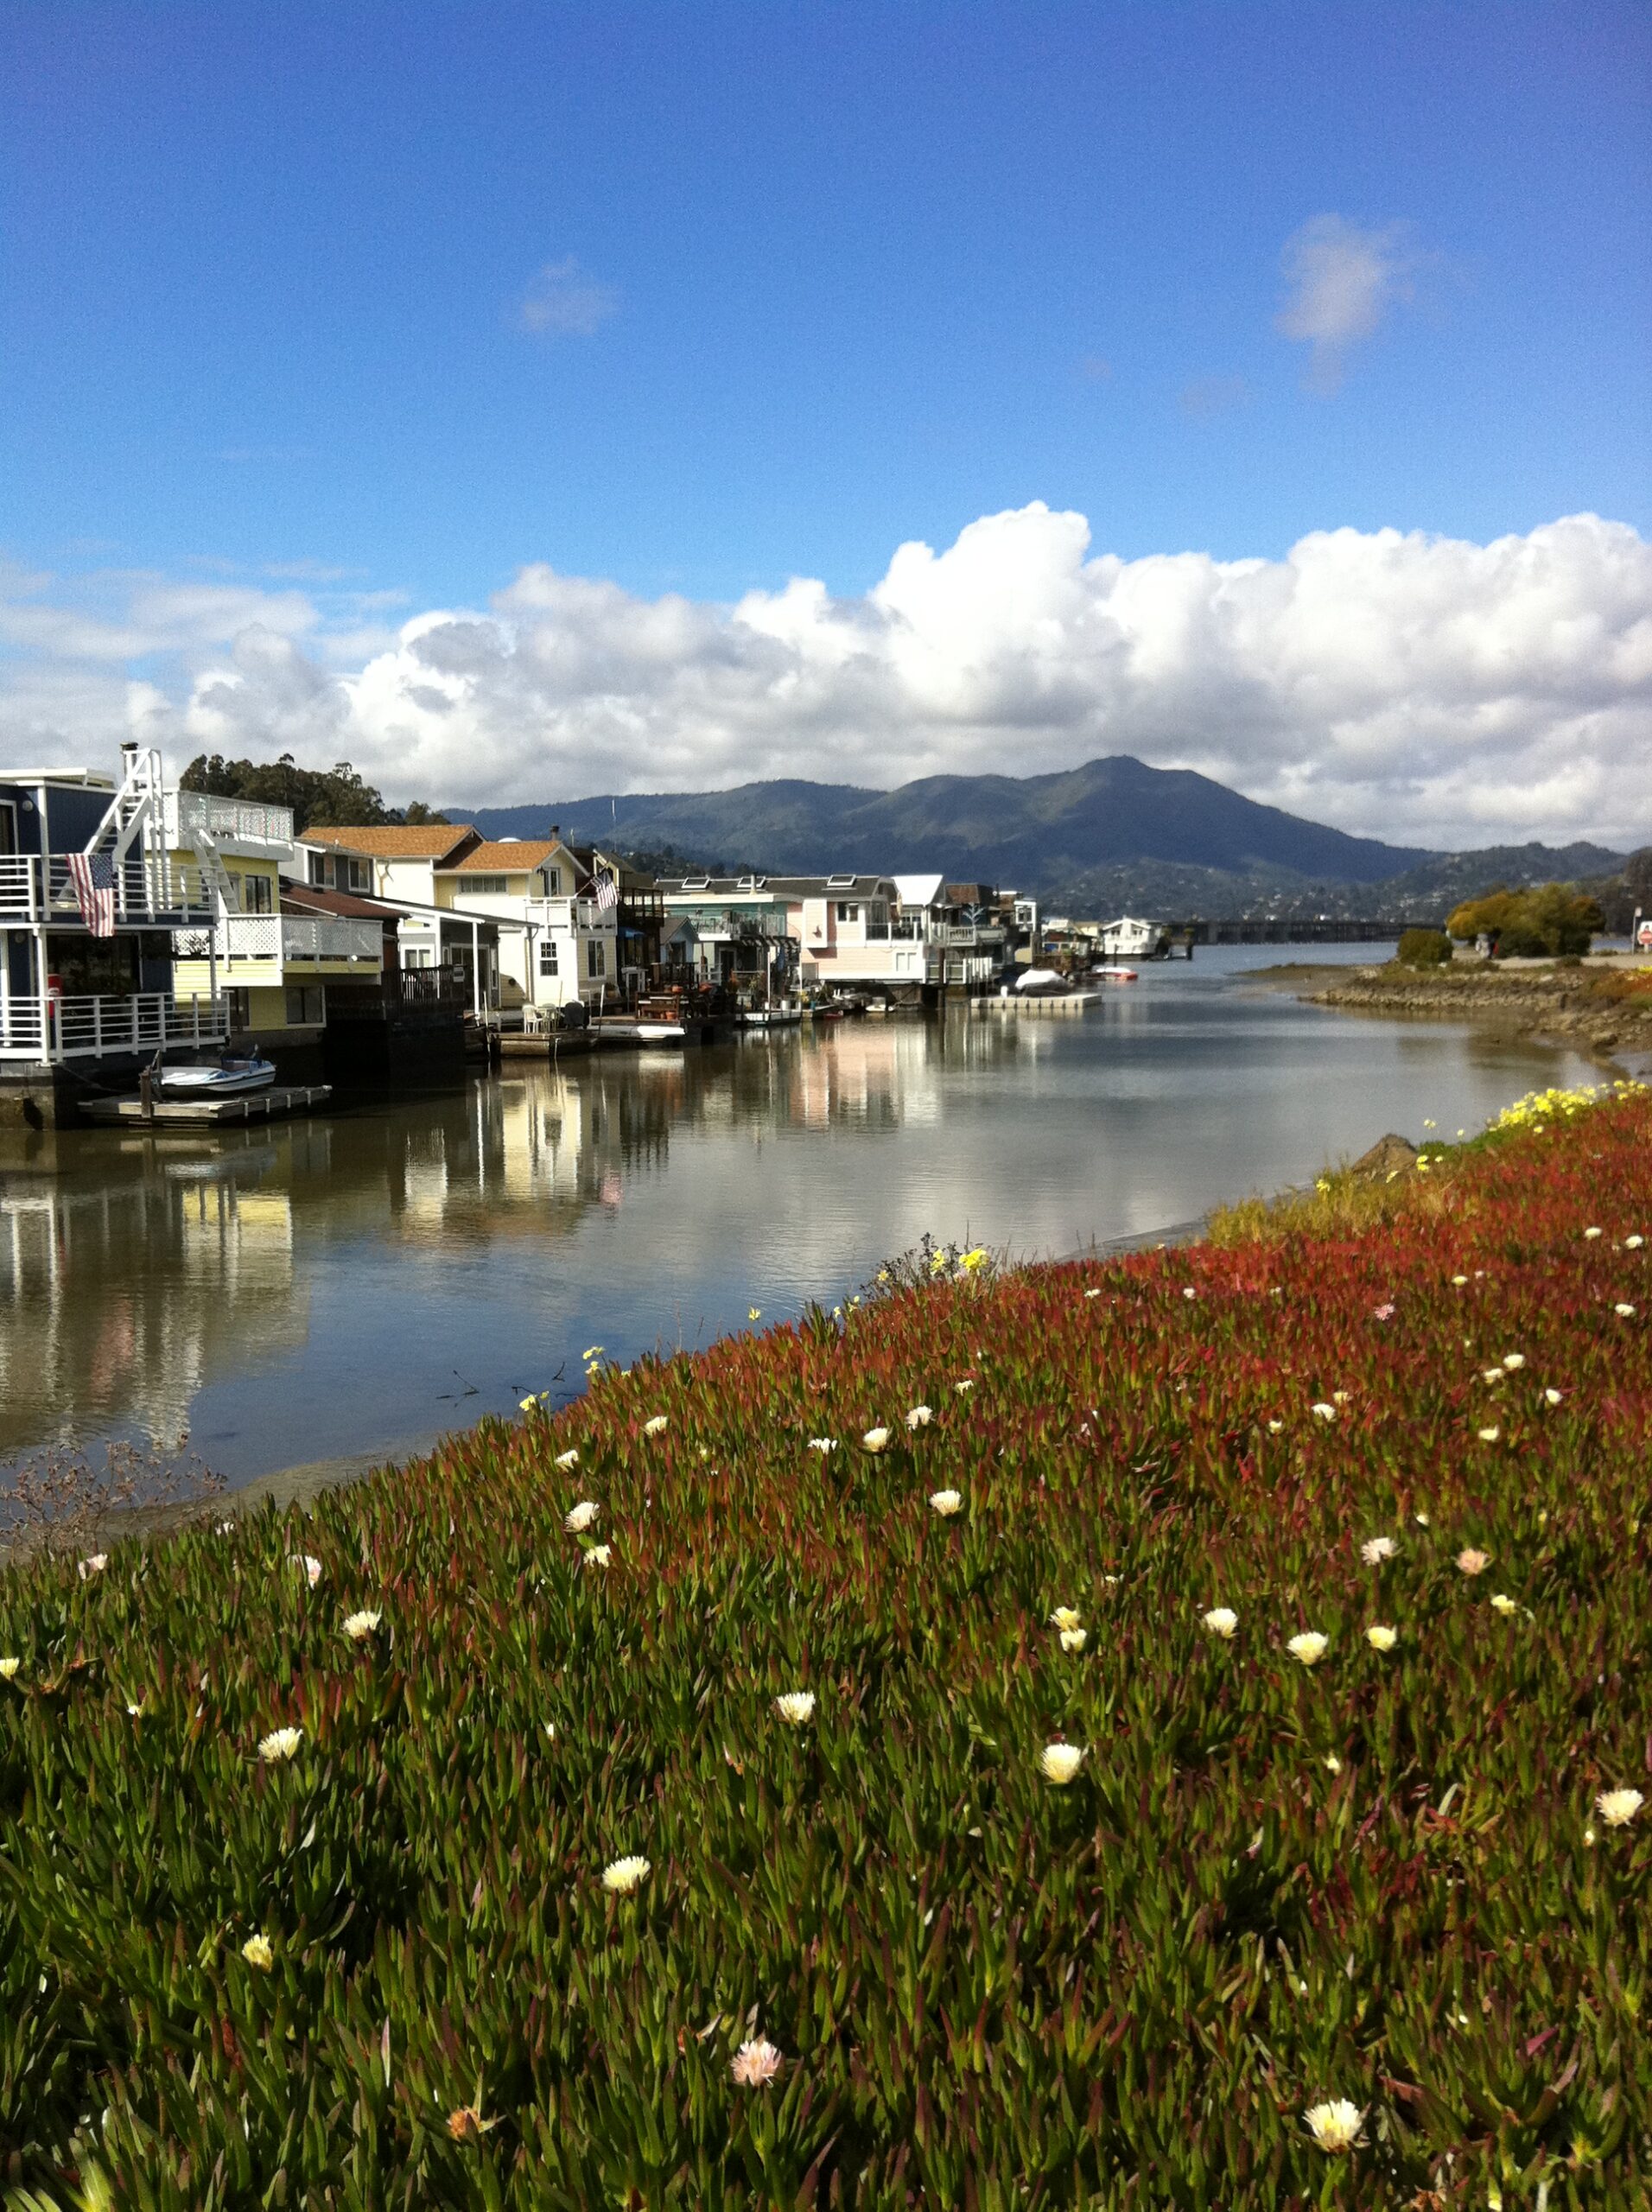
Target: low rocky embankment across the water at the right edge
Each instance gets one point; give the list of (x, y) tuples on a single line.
[(1585, 1005)]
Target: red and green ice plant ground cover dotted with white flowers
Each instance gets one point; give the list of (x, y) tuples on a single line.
[(1368, 1932)]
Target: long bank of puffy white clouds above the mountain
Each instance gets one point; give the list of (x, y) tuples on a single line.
[(1399, 685)]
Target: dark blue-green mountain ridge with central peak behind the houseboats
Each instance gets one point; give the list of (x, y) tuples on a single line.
[(1111, 833)]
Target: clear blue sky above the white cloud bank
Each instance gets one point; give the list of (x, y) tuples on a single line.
[(384, 304)]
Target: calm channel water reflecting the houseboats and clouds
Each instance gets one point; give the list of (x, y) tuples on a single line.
[(368, 1280)]
